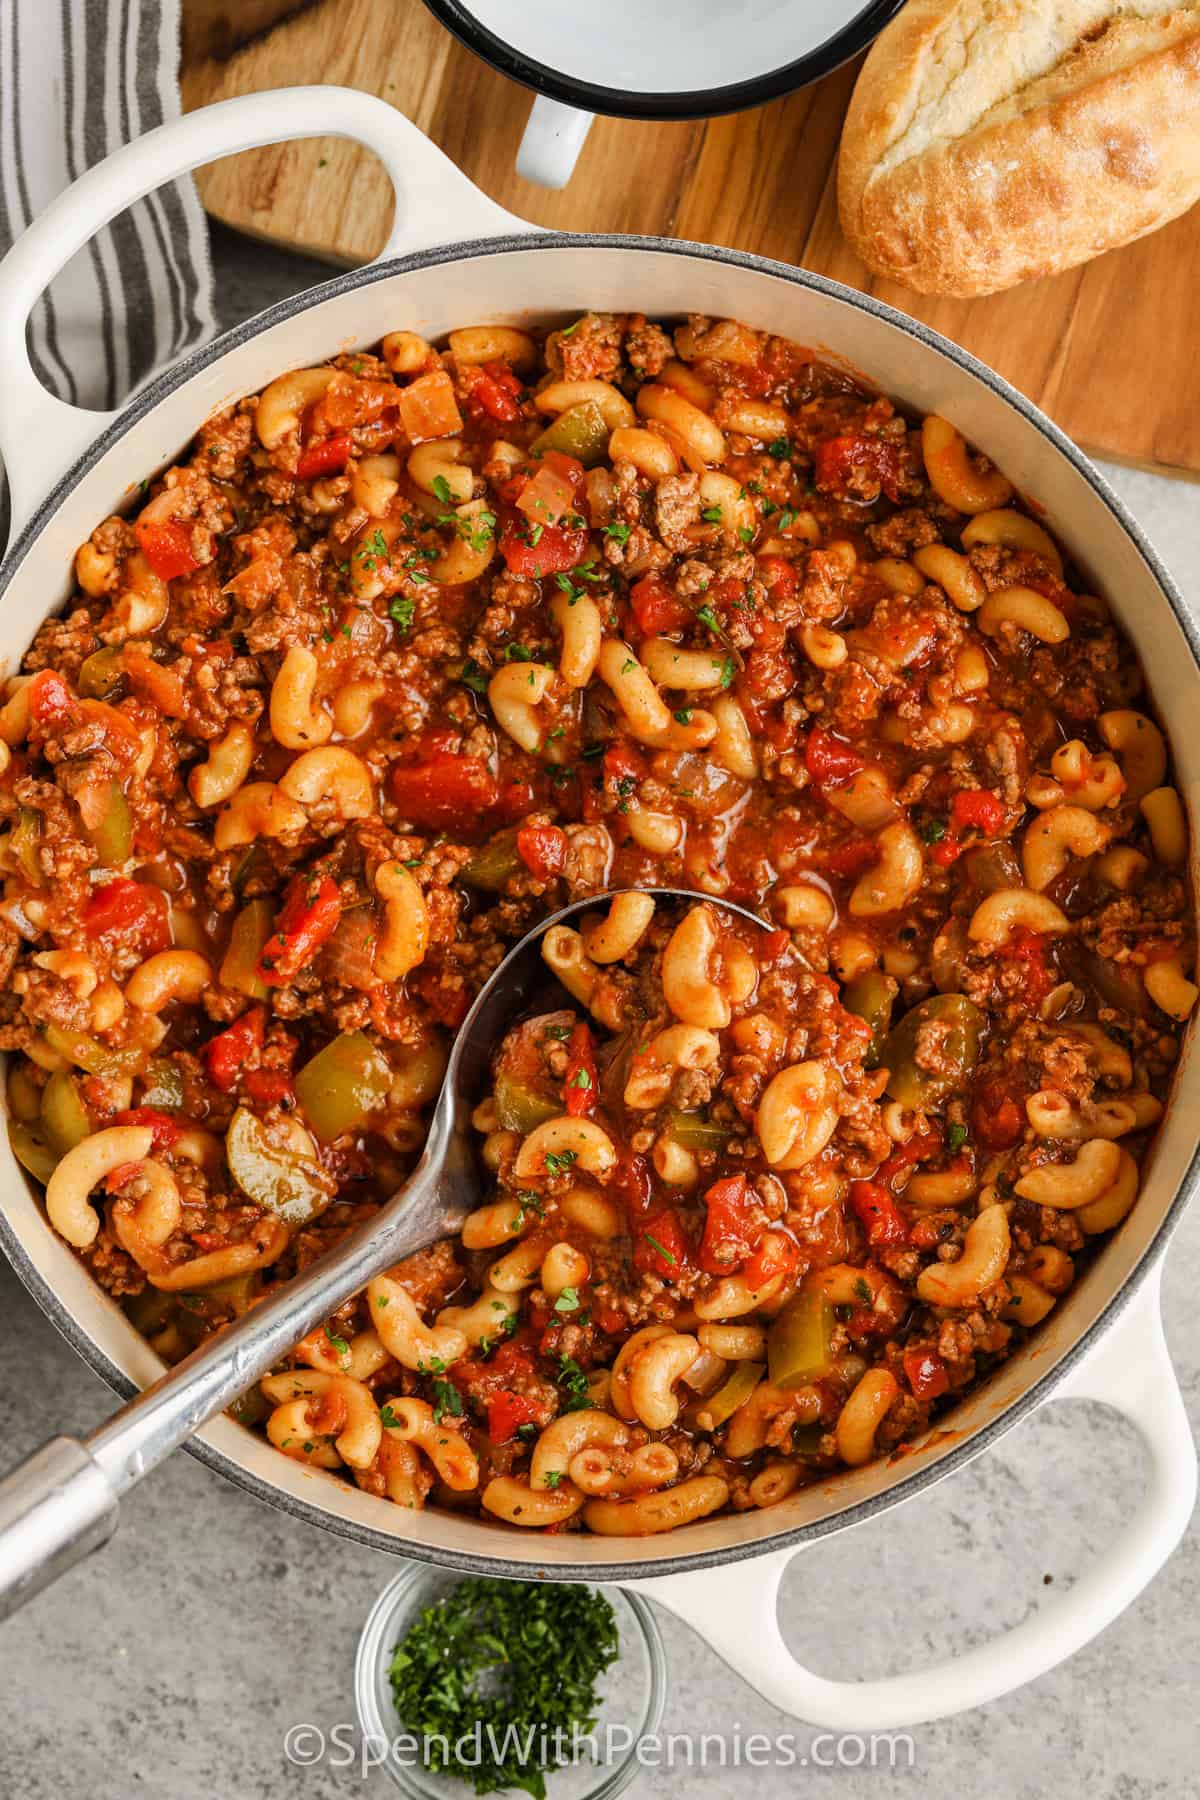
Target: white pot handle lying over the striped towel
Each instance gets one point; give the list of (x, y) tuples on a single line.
[(40, 436)]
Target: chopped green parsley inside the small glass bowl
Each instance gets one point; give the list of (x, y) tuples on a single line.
[(508, 1668)]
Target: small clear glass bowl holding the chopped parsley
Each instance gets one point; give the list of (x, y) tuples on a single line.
[(631, 1693)]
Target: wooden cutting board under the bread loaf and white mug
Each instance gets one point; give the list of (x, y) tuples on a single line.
[(1107, 350)]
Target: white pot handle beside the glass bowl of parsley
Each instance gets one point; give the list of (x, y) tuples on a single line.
[(1131, 1371)]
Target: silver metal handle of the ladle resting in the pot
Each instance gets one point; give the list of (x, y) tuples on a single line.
[(62, 1502)]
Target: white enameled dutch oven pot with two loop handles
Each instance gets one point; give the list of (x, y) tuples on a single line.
[(454, 258)]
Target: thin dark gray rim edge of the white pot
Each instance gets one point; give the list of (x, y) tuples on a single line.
[(1041, 1387)]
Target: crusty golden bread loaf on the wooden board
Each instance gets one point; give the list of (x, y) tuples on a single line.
[(992, 141)]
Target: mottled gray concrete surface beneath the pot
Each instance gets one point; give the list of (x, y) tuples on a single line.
[(175, 1664)]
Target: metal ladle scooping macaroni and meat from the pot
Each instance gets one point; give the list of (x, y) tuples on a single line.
[(64, 1500)]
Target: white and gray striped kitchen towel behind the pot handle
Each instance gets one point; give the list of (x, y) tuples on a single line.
[(80, 78)]
